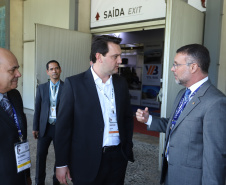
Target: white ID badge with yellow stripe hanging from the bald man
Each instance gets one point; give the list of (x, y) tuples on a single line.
[(23, 159)]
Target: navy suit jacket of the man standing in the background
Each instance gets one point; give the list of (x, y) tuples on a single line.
[(42, 106)]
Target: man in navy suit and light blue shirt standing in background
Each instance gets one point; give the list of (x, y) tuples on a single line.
[(46, 104)]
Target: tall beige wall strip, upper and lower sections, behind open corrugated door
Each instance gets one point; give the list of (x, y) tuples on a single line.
[(47, 12)]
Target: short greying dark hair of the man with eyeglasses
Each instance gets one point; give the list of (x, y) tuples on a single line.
[(199, 55)]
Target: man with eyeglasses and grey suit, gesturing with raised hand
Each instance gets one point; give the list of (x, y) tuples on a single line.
[(194, 151)]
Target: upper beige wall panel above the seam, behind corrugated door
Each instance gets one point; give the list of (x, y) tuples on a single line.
[(48, 12)]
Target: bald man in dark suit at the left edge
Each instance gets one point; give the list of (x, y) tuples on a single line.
[(13, 123)]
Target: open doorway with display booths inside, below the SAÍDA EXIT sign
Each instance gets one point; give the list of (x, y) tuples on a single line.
[(142, 66)]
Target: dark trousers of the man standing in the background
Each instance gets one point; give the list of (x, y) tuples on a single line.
[(42, 152)]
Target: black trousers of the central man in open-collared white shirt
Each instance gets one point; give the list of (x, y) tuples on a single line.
[(112, 169)]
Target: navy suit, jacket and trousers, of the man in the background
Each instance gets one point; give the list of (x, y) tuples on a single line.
[(46, 131)]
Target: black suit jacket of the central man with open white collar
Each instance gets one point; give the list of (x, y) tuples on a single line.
[(80, 127)]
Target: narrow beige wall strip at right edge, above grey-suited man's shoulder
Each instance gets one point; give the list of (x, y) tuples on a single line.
[(222, 62)]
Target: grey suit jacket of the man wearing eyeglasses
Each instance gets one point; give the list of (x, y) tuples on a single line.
[(197, 151)]
